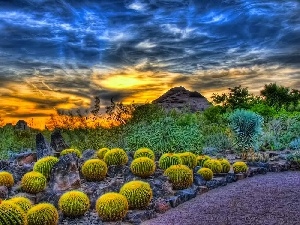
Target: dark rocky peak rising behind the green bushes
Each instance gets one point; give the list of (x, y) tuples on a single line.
[(179, 98)]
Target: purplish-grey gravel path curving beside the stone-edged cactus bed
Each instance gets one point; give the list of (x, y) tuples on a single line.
[(271, 199)]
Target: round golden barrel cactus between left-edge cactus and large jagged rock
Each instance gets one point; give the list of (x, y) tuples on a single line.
[(33, 182)]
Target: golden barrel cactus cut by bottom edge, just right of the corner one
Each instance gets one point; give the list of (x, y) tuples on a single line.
[(42, 214)]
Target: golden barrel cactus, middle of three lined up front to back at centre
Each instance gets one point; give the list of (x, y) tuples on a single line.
[(142, 167)]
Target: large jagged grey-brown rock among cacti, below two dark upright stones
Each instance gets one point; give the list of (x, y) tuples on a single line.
[(65, 174)]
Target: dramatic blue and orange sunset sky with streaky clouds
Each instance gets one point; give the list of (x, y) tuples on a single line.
[(60, 54)]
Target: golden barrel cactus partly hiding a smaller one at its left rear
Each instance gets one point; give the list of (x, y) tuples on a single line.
[(116, 156)]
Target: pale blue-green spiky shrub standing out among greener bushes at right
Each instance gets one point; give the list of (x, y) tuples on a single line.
[(247, 126)]
